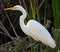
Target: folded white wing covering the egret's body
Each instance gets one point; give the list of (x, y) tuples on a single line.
[(39, 33)]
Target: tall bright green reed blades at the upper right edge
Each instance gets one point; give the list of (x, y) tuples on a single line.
[(56, 12)]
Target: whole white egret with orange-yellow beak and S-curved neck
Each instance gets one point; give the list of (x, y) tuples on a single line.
[(33, 28)]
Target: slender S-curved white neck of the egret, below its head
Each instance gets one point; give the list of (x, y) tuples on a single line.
[(22, 17)]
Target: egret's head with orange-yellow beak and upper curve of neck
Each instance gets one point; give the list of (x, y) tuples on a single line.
[(19, 8)]
